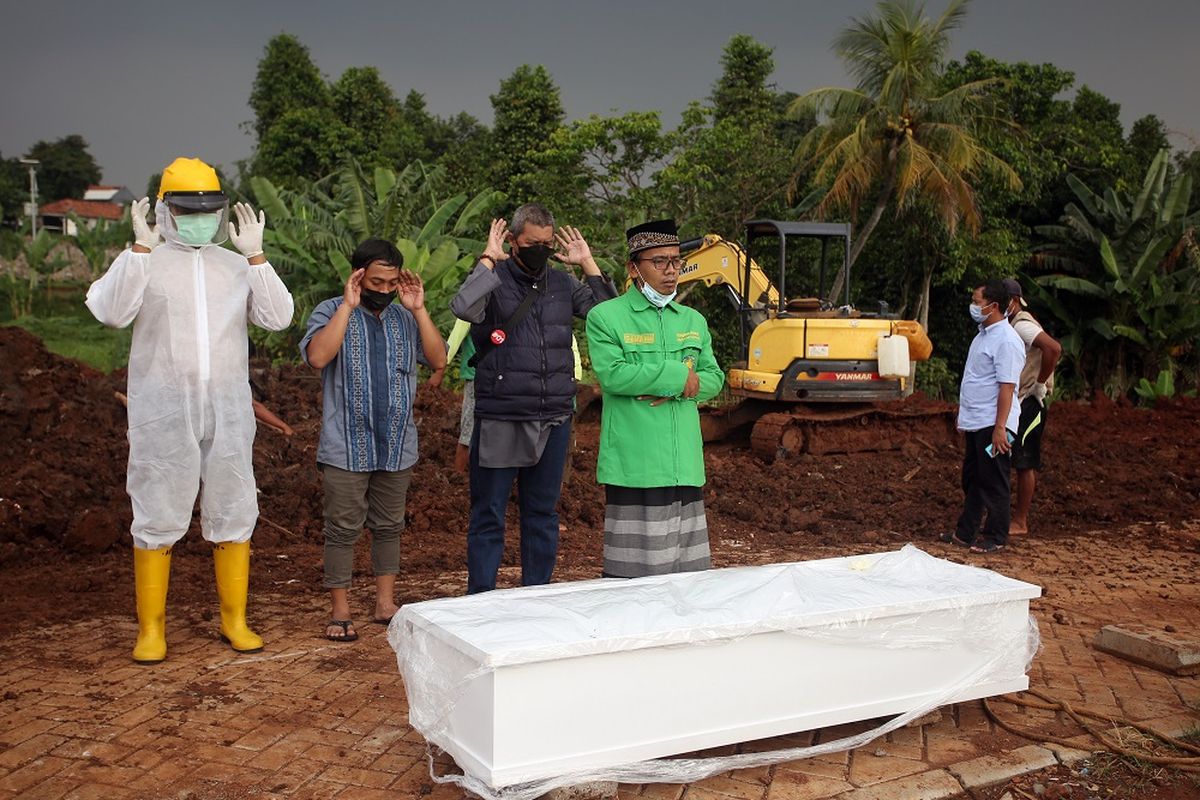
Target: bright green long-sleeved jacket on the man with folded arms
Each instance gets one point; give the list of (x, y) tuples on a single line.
[(638, 350)]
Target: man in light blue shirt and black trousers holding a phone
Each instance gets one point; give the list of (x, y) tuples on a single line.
[(988, 418)]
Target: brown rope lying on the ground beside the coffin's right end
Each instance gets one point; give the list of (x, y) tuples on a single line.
[(1081, 717)]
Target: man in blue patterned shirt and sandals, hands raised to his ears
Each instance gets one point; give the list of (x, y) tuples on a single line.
[(368, 350)]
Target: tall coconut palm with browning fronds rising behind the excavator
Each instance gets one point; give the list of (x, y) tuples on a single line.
[(898, 136)]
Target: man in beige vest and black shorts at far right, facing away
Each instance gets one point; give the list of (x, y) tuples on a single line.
[(1042, 353)]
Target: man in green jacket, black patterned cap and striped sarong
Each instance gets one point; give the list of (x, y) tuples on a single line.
[(655, 360)]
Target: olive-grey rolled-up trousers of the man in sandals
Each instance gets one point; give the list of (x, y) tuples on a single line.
[(353, 501)]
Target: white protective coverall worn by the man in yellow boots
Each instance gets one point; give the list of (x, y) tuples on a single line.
[(191, 420)]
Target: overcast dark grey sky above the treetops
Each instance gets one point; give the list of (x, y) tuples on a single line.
[(146, 82)]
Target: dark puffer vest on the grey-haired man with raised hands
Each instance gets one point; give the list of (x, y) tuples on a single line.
[(532, 376)]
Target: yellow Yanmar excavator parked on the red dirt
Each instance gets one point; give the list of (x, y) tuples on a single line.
[(817, 370)]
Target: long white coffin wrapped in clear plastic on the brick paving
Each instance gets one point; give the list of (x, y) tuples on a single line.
[(529, 684)]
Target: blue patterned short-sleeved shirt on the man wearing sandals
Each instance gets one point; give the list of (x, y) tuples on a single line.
[(369, 390)]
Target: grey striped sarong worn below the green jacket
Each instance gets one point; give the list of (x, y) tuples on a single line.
[(655, 531)]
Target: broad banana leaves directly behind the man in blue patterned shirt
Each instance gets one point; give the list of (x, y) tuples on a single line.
[(313, 232)]
